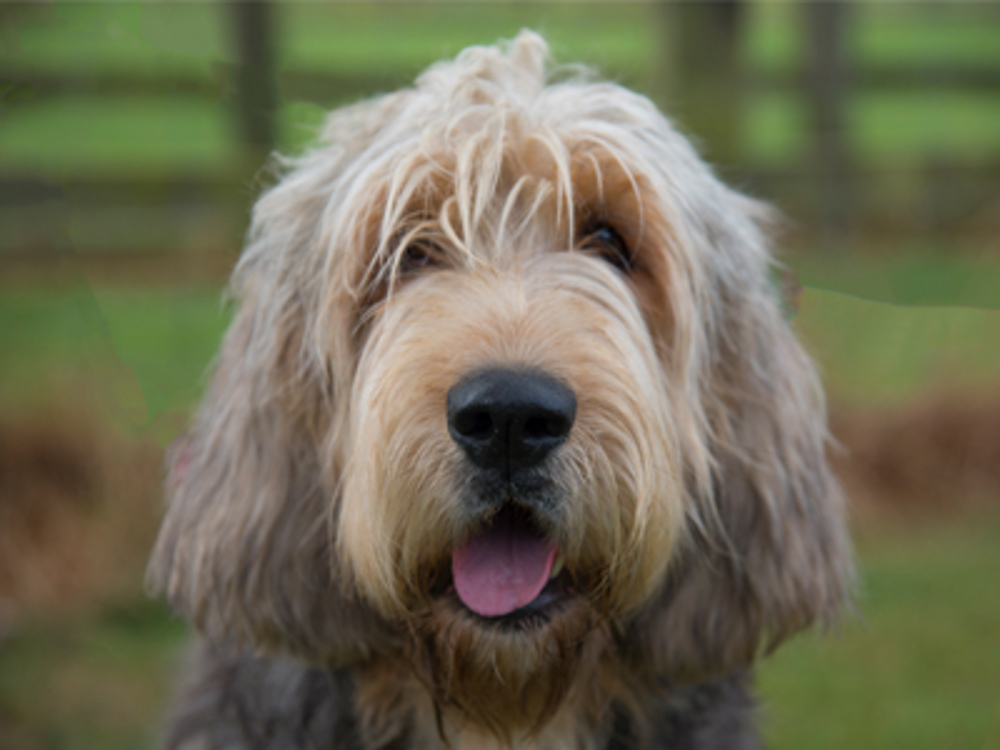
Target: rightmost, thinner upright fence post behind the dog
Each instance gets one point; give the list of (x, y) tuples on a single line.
[(827, 83)]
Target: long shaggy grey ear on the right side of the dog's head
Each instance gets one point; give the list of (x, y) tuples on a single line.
[(768, 553)]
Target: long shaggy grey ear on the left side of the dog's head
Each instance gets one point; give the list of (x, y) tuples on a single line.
[(246, 548)]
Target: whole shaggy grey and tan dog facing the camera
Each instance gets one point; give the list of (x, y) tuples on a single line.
[(509, 444)]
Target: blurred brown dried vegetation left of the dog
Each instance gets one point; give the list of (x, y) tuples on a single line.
[(79, 504)]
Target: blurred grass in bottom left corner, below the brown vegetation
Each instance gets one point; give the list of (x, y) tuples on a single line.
[(99, 681)]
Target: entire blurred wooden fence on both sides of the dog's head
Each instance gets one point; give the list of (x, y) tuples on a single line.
[(831, 191)]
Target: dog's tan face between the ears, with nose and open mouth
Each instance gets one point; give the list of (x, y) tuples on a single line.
[(510, 410)]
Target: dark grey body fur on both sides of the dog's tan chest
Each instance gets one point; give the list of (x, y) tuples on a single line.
[(235, 701)]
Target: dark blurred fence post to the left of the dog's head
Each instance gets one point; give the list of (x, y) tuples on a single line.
[(256, 90)]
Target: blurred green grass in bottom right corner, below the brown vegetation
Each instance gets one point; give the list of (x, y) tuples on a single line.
[(920, 665)]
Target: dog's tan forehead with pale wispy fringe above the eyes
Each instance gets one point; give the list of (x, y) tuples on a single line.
[(516, 178)]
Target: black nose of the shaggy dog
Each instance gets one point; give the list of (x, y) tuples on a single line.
[(510, 419)]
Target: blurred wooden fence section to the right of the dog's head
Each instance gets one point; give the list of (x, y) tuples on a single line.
[(832, 191)]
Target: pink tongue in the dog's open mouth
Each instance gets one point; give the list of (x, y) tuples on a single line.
[(503, 568)]
